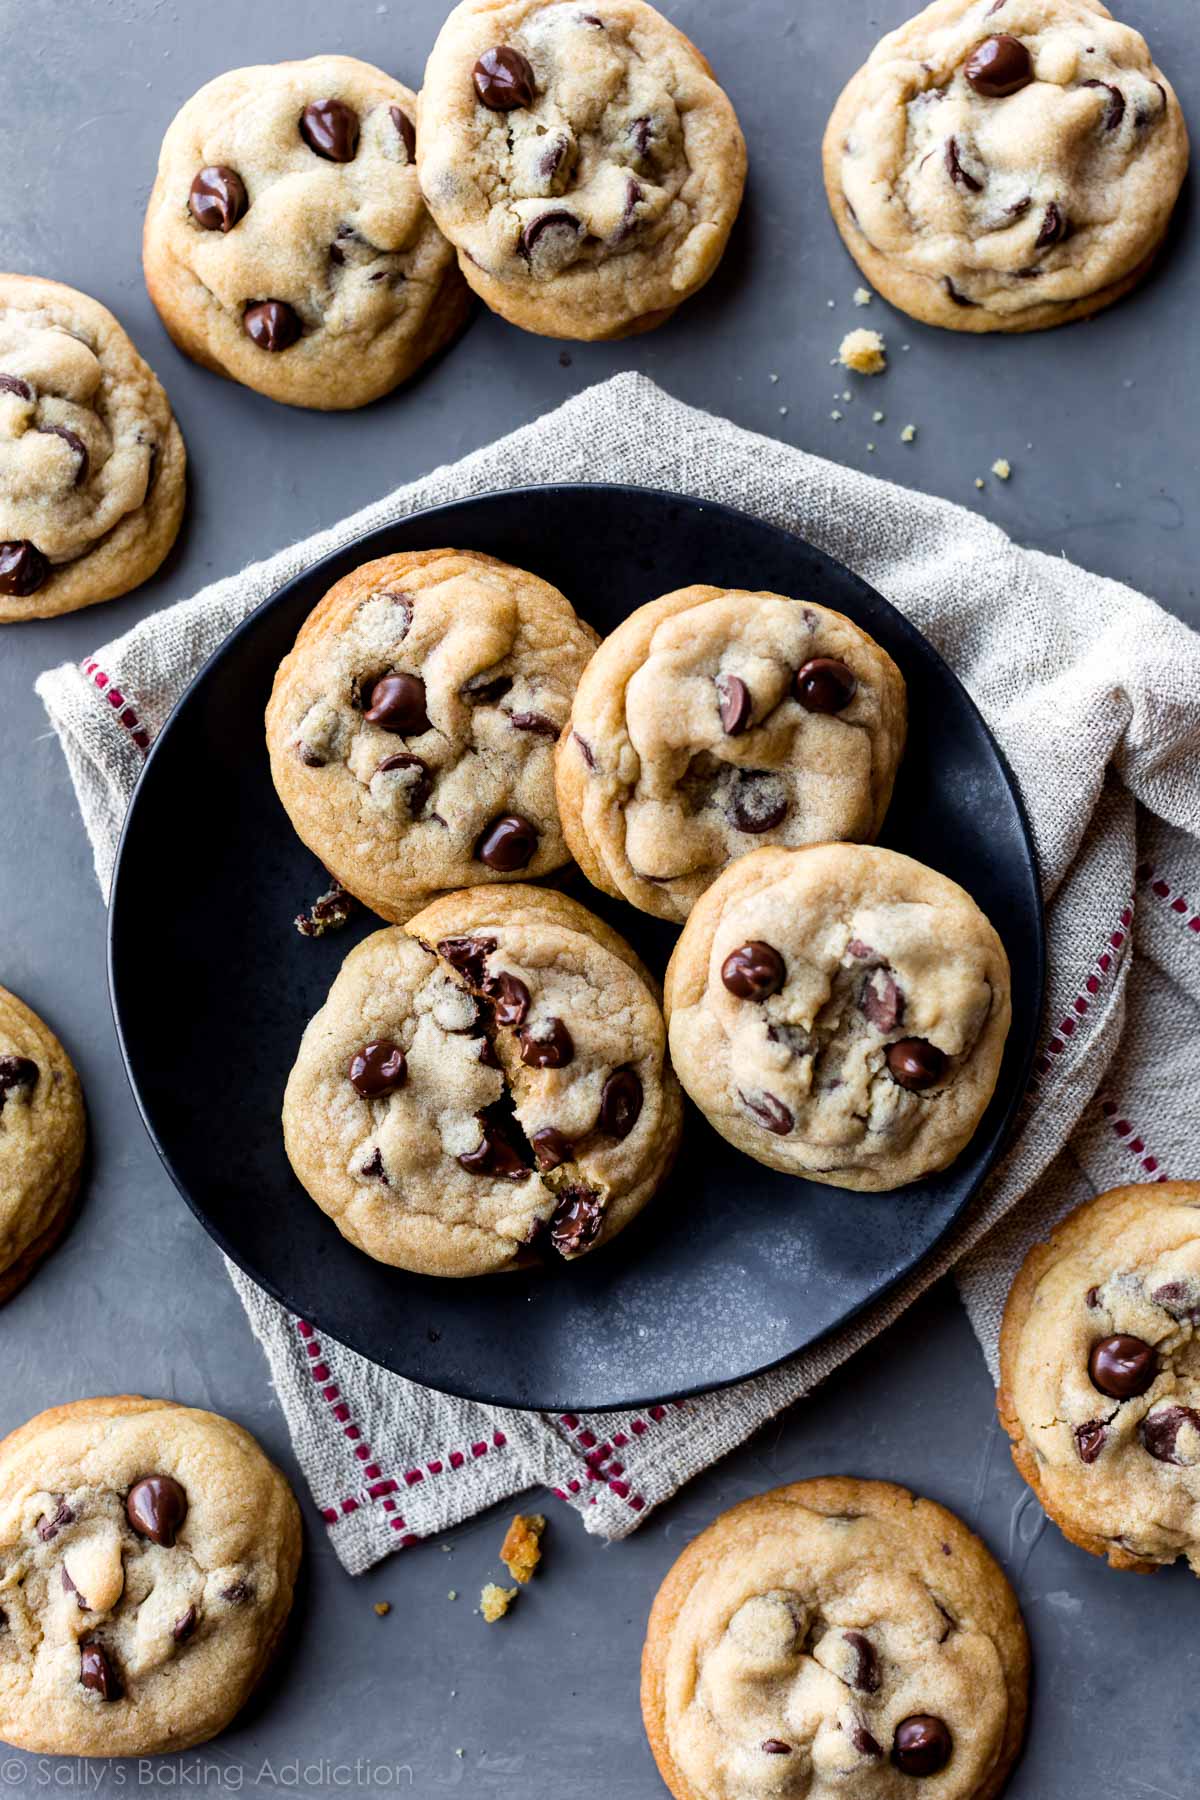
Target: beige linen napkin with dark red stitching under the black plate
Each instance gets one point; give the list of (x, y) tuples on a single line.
[(1095, 694)]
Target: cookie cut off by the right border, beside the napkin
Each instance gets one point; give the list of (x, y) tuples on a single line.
[(1100, 1374)]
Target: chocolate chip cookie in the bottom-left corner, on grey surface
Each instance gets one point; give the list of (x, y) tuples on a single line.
[(148, 1556)]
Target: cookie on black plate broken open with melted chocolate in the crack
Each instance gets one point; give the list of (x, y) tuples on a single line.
[(485, 1084)]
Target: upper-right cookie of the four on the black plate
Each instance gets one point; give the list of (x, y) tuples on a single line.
[(713, 723)]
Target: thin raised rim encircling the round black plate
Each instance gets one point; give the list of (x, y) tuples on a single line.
[(431, 514)]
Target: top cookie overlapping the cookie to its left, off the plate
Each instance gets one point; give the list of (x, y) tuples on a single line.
[(582, 159)]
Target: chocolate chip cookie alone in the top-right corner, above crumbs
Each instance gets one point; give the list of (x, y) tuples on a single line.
[(1007, 165)]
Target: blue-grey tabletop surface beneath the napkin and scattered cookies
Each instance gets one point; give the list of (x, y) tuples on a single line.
[(1102, 431)]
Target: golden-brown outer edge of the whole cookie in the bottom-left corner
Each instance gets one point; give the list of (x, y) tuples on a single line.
[(220, 1714)]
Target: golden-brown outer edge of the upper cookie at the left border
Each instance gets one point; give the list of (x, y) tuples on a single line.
[(93, 579)]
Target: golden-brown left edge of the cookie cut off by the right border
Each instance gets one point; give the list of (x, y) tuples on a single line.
[(1070, 1237)]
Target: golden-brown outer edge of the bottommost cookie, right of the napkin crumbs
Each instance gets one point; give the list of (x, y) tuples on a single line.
[(837, 1495)]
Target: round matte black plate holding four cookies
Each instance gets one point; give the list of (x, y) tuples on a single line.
[(733, 1266)]
